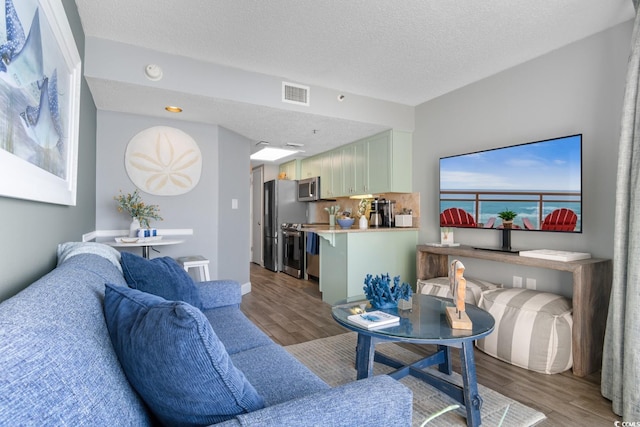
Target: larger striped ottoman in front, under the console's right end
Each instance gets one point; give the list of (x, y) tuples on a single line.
[(533, 329)]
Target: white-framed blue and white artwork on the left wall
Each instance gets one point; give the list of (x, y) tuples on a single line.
[(40, 77)]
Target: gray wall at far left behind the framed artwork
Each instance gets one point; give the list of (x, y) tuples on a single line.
[(31, 231)]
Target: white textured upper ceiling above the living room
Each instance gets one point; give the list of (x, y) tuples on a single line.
[(406, 51)]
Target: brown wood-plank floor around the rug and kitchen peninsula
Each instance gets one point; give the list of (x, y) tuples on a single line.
[(291, 311)]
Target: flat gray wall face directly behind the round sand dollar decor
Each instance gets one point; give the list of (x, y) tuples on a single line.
[(196, 209)]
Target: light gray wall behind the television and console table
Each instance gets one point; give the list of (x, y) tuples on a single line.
[(576, 89)]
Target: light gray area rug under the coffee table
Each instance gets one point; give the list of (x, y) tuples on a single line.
[(332, 359)]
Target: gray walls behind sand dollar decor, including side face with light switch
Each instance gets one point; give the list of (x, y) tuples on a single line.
[(220, 233)]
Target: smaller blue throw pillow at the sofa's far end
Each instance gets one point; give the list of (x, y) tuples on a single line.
[(160, 276)]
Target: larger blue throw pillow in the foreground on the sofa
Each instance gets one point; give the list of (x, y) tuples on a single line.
[(174, 360)]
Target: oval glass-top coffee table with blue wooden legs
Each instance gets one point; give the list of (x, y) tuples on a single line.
[(424, 323)]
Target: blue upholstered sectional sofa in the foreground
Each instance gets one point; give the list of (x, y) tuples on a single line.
[(59, 366)]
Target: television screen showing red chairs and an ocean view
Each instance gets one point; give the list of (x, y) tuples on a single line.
[(541, 182)]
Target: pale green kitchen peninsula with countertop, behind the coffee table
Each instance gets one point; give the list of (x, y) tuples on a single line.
[(348, 255)]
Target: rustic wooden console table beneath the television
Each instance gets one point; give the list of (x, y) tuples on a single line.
[(591, 290)]
